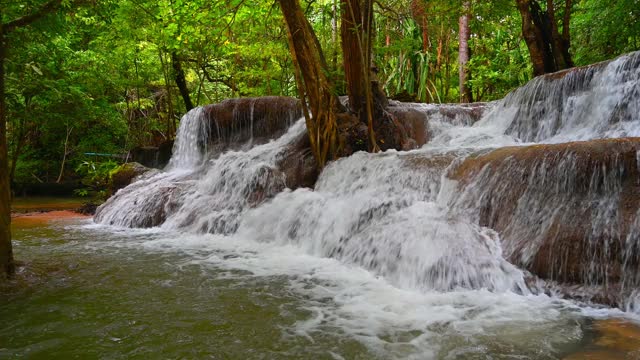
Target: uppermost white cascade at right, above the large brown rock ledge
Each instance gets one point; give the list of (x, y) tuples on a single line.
[(601, 101)]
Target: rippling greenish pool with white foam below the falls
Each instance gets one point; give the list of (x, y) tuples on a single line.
[(95, 292)]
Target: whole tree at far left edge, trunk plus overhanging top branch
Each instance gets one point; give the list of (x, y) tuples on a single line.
[(6, 28)]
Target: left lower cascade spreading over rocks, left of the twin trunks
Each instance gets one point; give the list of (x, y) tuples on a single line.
[(209, 198)]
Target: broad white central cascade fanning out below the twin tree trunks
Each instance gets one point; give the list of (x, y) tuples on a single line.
[(381, 212)]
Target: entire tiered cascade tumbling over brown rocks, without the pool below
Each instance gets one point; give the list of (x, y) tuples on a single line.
[(453, 215)]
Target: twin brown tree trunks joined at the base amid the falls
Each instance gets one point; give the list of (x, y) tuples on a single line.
[(333, 130)]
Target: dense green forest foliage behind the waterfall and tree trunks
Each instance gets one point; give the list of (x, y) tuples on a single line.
[(107, 76)]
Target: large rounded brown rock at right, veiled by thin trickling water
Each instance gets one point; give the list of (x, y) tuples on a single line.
[(568, 212)]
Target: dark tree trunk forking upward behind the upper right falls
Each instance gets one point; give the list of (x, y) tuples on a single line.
[(548, 49)]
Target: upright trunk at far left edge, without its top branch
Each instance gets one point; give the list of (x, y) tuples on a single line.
[(6, 253)]
